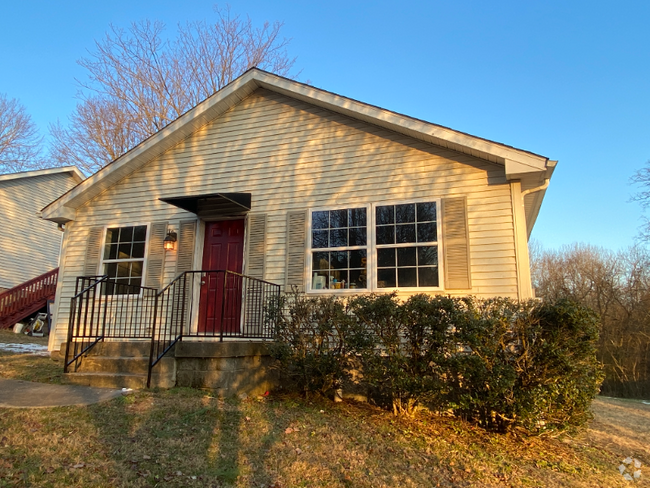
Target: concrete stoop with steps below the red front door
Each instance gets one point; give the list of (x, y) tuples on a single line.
[(228, 368)]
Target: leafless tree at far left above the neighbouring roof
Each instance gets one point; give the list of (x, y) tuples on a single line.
[(20, 144)]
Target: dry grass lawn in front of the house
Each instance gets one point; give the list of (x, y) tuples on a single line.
[(184, 437)]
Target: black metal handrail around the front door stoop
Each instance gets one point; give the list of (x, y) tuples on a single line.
[(220, 303)]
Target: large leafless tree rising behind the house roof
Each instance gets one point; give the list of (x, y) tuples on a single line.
[(139, 81)]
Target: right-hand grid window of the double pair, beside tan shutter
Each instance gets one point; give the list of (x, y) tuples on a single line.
[(406, 241)]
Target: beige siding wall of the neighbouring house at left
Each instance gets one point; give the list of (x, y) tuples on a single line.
[(30, 246)]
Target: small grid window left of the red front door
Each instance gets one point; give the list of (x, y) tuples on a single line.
[(123, 261)]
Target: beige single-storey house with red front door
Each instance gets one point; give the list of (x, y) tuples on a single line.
[(271, 184)]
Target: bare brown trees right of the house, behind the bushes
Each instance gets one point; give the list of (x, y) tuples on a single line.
[(617, 286)]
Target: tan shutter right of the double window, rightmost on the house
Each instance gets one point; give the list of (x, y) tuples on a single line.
[(455, 240)]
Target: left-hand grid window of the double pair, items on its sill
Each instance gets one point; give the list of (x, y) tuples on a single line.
[(339, 244)]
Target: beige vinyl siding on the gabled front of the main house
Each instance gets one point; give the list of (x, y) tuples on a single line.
[(293, 156)]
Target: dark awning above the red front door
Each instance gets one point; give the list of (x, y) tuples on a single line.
[(213, 204)]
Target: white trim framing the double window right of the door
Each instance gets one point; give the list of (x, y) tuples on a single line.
[(371, 247)]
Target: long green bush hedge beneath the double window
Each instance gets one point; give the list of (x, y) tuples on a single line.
[(498, 362)]
